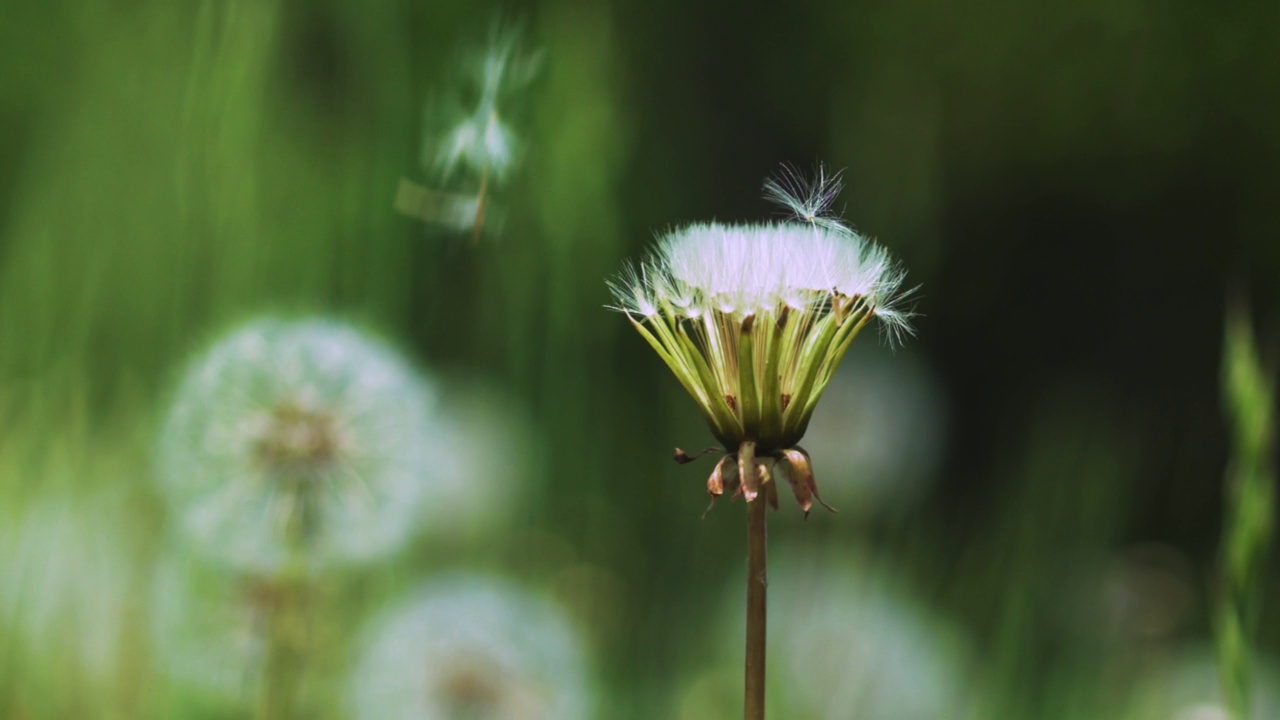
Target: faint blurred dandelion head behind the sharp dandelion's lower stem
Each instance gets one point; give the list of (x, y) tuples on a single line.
[(847, 640)]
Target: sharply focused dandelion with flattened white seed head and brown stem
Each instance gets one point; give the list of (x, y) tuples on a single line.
[(753, 320)]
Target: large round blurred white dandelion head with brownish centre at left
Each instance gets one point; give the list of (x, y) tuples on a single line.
[(298, 443)]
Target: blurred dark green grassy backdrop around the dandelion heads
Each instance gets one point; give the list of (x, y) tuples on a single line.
[(1078, 189)]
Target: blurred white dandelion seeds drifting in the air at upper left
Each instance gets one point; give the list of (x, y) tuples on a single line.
[(472, 145)]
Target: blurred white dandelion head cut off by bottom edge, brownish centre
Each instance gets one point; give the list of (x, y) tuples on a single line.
[(468, 648)]
